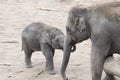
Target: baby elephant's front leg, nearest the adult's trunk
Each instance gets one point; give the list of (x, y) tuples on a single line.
[(48, 52)]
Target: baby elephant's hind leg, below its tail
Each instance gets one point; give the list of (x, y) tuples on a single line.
[(28, 54)]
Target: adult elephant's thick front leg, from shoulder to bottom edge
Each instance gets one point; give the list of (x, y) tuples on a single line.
[(101, 45)]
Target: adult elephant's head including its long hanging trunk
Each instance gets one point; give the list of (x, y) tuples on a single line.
[(76, 31)]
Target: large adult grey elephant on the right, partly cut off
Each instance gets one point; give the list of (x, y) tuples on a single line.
[(102, 25)]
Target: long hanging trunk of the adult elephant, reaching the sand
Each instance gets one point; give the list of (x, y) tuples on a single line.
[(67, 50)]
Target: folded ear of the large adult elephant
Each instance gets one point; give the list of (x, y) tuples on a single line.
[(80, 23)]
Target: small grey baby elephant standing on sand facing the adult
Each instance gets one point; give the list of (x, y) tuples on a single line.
[(41, 37)]
